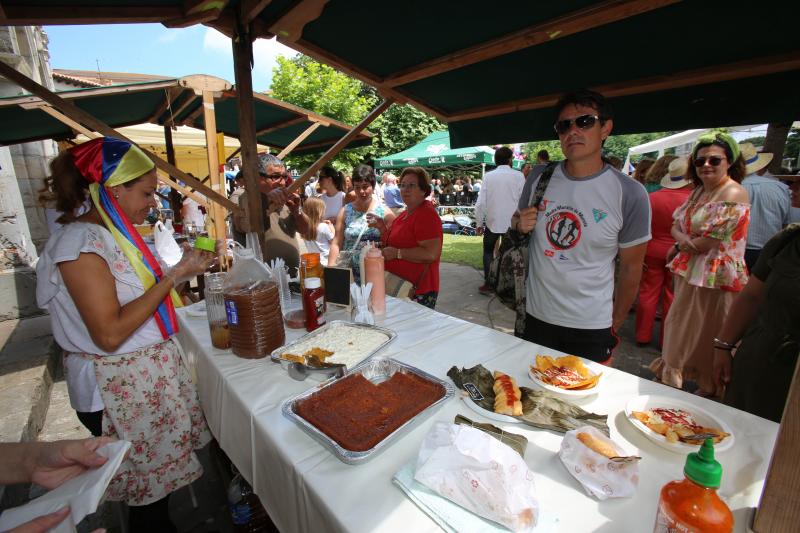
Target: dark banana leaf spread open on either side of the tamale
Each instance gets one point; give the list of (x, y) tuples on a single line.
[(539, 408)]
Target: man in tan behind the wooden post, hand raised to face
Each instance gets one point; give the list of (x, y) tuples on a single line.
[(281, 214)]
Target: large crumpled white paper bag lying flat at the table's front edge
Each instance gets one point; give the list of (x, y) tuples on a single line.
[(480, 473)]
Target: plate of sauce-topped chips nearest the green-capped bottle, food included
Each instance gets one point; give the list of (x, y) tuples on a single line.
[(677, 425)]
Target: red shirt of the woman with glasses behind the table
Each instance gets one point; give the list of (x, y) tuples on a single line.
[(406, 232)]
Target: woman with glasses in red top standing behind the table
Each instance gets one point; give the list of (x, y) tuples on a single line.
[(413, 244)]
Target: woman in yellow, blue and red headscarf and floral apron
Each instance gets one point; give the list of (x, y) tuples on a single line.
[(112, 307)]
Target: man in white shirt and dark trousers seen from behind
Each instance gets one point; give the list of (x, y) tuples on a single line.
[(497, 201)]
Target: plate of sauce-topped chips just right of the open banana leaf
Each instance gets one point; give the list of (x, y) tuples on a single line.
[(569, 375)]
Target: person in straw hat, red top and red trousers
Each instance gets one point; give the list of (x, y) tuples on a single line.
[(656, 277)]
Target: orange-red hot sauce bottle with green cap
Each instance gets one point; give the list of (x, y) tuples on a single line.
[(692, 505)]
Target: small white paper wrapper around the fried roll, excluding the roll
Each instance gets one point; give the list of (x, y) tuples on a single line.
[(600, 476)]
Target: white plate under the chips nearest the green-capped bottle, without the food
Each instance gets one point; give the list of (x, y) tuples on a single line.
[(701, 416)]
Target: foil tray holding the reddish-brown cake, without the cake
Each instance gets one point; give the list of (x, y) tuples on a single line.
[(376, 370)]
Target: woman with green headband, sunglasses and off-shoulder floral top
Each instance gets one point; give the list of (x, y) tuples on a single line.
[(707, 261)]
